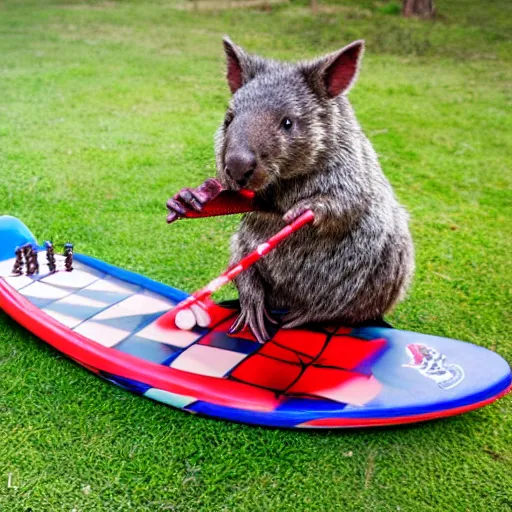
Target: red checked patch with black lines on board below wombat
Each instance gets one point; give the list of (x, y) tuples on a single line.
[(318, 364)]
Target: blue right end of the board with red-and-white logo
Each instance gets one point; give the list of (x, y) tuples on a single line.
[(476, 374)]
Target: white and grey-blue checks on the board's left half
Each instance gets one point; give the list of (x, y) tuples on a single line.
[(104, 309)]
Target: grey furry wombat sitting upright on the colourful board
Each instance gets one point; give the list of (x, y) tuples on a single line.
[(291, 136)]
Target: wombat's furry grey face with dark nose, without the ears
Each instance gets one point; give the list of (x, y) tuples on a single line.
[(272, 129)]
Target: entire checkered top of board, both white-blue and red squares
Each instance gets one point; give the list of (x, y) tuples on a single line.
[(114, 313)]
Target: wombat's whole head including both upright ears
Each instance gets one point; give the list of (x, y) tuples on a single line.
[(278, 119)]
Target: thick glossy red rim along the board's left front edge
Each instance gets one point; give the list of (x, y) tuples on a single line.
[(93, 355)]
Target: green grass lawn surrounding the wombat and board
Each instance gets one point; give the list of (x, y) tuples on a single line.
[(108, 108)]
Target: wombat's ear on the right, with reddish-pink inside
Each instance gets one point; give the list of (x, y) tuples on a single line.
[(336, 73)]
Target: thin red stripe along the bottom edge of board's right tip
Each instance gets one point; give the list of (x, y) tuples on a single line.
[(399, 420)]
